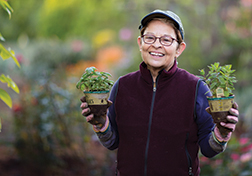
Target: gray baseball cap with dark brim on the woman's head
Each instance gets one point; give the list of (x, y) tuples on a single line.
[(163, 14)]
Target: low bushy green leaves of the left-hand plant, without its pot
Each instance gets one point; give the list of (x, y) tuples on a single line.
[(92, 80)]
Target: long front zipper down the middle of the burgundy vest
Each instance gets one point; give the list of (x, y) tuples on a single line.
[(149, 127)]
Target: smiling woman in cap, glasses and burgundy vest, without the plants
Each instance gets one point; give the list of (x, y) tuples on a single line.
[(158, 119)]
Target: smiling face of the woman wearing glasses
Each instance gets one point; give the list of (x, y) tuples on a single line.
[(156, 56)]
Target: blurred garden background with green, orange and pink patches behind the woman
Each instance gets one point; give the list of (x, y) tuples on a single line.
[(54, 41)]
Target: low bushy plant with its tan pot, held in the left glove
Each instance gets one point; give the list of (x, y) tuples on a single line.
[(96, 87)]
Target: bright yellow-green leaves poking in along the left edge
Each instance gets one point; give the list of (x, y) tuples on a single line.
[(6, 54)]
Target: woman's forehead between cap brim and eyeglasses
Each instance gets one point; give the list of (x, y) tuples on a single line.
[(160, 27)]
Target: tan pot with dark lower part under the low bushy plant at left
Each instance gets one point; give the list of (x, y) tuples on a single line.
[(98, 104)]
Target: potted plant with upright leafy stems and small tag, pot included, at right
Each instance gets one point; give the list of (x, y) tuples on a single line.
[(220, 80)]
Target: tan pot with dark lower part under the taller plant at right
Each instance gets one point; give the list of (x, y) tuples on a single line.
[(219, 110)]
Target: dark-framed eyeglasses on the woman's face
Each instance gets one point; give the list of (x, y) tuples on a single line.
[(164, 40)]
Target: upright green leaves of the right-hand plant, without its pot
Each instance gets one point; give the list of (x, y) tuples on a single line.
[(219, 78)]
